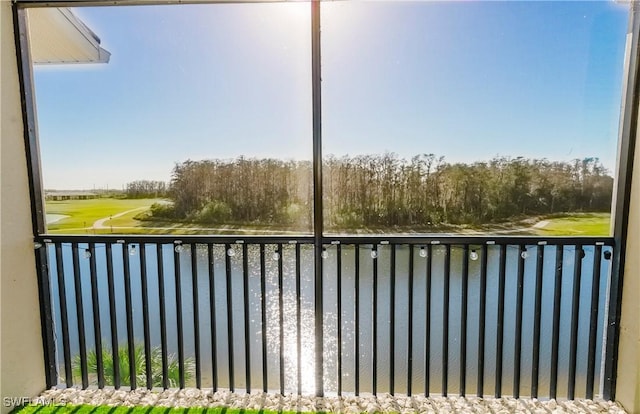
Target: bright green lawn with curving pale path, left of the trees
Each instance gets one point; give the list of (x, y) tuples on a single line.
[(83, 213)]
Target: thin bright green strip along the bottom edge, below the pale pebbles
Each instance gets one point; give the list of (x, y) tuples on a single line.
[(89, 409)]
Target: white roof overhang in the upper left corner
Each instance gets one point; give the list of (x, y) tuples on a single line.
[(57, 36)]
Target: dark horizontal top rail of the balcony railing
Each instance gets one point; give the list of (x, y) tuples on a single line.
[(422, 239)]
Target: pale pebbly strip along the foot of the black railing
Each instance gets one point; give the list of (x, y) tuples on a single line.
[(346, 404)]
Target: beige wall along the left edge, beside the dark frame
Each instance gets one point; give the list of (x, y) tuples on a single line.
[(21, 356)]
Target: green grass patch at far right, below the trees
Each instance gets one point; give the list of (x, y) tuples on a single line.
[(585, 224)]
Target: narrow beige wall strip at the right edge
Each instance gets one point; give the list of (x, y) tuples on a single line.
[(628, 382)]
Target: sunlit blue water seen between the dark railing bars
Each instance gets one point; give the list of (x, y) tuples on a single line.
[(350, 355)]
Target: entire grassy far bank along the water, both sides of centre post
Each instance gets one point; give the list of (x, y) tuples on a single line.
[(110, 215)]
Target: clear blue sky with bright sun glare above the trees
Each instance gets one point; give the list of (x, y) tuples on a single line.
[(465, 80)]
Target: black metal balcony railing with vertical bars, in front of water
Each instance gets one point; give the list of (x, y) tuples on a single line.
[(520, 316)]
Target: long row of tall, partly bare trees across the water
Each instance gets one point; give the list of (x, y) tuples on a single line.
[(383, 190)]
